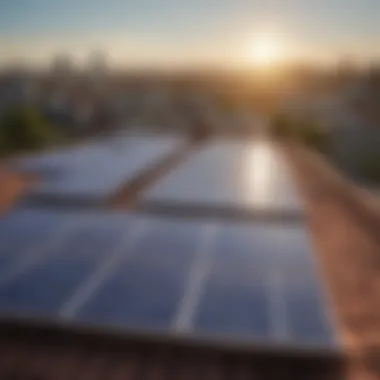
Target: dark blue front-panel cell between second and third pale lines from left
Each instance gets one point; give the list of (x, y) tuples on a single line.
[(146, 288)]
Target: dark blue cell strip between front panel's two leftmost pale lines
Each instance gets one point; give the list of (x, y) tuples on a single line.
[(46, 286)]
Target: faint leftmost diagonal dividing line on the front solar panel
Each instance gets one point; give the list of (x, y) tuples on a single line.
[(39, 252)]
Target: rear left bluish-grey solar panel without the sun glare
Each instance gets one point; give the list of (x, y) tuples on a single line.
[(95, 170)]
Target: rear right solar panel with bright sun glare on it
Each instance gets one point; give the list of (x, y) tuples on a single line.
[(229, 175)]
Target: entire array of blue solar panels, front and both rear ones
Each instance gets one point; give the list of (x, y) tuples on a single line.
[(219, 278)]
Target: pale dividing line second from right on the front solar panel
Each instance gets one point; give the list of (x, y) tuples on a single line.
[(183, 320)]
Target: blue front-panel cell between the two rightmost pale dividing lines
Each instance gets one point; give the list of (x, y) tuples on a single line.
[(235, 298)]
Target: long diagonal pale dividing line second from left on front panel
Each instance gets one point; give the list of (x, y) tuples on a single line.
[(103, 271)]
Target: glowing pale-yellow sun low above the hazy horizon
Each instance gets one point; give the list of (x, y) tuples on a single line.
[(265, 50)]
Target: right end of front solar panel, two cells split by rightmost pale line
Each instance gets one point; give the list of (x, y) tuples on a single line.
[(263, 284)]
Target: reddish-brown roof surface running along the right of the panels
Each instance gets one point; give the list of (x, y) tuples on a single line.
[(345, 223)]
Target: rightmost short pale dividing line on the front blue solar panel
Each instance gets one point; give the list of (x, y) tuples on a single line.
[(277, 306)]
